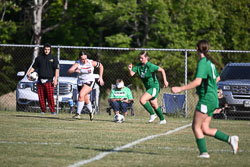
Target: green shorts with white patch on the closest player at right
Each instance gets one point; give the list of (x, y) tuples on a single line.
[(207, 108)]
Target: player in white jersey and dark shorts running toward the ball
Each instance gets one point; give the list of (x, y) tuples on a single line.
[(86, 81)]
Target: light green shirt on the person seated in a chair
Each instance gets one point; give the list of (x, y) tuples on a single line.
[(125, 92)]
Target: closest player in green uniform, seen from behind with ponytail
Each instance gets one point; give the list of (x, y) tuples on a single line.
[(206, 85)]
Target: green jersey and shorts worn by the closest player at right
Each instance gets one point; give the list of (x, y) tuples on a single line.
[(207, 91)]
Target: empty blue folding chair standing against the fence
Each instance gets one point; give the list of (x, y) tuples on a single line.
[(173, 103)]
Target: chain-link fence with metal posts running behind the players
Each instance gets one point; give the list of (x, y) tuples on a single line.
[(179, 64)]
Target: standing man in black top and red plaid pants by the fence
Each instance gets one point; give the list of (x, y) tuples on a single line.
[(47, 67)]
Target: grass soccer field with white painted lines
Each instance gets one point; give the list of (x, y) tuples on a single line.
[(34, 140)]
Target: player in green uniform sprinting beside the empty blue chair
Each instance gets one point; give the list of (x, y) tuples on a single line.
[(147, 72)]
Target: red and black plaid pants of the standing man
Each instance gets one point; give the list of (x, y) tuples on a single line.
[(46, 91)]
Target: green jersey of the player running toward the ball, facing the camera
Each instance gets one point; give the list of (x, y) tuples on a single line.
[(147, 74)]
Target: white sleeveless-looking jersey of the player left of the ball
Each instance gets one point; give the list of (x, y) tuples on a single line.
[(86, 72)]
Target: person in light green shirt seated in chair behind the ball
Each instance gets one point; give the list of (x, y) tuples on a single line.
[(120, 98)]
